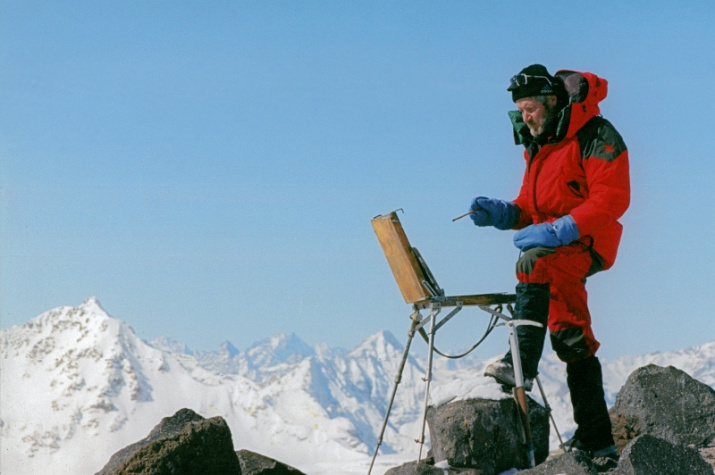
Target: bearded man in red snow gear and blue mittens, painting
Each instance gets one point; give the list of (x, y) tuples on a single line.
[(575, 188)]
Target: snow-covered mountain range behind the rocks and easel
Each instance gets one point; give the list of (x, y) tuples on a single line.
[(77, 385)]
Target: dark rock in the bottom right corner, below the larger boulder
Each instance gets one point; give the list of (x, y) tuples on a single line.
[(648, 455)]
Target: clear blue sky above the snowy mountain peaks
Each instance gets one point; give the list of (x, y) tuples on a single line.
[(209, 170)]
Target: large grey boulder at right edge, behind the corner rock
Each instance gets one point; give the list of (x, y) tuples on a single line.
[(666, 403)]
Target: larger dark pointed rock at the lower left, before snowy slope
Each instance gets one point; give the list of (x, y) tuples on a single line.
[(183, 444)]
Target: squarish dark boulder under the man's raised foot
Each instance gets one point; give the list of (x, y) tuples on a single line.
[(483, 434)]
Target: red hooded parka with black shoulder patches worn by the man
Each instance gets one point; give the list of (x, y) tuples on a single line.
[(581, 170)]
